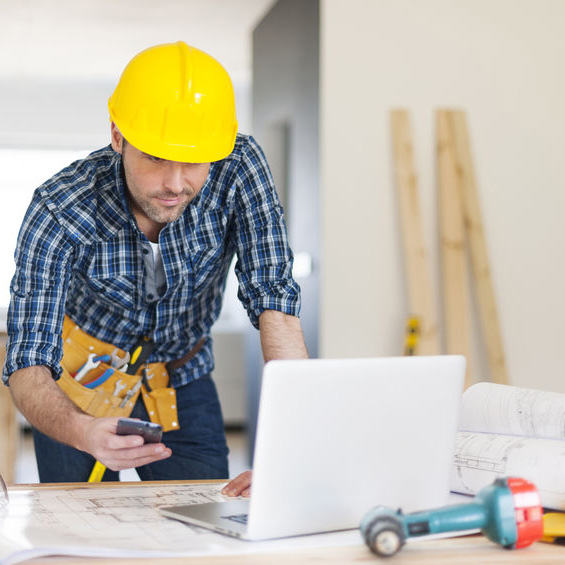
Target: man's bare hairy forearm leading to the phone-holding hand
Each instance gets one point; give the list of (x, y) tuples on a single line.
[(46, 406)]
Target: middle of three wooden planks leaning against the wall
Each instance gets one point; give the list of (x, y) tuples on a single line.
[(453, 258)]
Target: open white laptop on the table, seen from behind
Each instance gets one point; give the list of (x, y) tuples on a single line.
[(336, 437)]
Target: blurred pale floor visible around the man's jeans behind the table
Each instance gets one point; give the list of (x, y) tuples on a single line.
[(26, 467)]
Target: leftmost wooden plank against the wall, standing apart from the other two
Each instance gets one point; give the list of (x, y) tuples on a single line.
[(420, 293)]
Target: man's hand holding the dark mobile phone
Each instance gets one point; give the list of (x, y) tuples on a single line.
[(119, 452)]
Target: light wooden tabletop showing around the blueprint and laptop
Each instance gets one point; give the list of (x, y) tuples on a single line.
[(469, 550)]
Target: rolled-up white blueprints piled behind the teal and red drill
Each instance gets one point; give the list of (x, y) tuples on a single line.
[(511, 431)]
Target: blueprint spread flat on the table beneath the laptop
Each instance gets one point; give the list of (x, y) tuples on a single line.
[(122, 521)]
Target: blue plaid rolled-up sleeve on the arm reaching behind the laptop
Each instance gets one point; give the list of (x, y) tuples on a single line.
[(264, 258)]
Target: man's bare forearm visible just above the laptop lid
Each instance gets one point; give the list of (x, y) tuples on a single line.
[(281, 336)]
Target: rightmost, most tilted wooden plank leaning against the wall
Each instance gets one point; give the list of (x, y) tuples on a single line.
[(478, 249)]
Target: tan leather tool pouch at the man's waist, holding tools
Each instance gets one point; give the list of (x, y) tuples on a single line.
[(117, 395)]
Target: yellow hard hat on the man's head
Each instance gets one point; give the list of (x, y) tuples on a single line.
[(176, 102)]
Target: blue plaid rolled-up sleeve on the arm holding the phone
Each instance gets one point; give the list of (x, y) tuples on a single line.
[(38, 290)]
